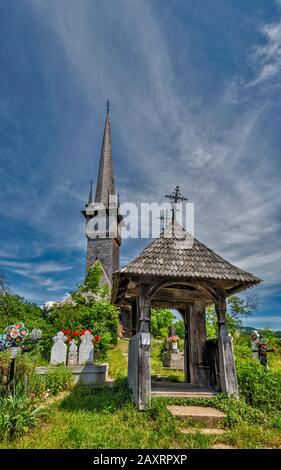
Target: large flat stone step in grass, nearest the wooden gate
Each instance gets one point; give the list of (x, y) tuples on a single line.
[(197, 413)]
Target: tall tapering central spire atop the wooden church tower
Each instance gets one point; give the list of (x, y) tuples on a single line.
[(105, 183)]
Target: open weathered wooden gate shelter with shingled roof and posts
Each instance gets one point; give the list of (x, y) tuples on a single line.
[(168, 275)]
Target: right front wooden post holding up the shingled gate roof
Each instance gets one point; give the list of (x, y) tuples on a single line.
[(227, 370)]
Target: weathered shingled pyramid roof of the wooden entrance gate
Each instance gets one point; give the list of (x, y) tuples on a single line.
[(176, 254)]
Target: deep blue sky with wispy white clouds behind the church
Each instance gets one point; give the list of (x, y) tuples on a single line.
[(196, 101)]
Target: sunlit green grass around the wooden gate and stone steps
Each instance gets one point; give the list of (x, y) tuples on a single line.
[(105, 418)]
